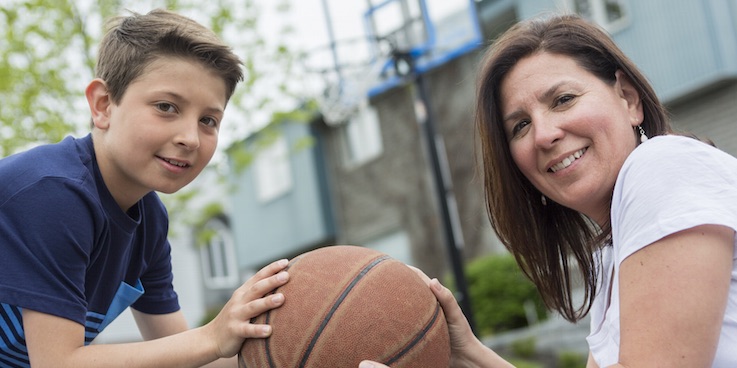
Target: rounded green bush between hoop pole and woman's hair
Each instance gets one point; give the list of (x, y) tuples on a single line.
[(498, 290)]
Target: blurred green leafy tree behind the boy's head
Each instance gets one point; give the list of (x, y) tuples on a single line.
[(47, 56)]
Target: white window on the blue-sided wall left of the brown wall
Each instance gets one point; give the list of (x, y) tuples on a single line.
[(272, 171)]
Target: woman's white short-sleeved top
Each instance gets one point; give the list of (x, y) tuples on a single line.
[(667, 184)]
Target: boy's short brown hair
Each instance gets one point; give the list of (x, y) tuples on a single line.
[(133, 42)]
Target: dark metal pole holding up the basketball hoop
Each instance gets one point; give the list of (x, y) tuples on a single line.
[(446, 200)]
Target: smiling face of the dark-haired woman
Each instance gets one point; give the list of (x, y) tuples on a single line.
[(569, 132)]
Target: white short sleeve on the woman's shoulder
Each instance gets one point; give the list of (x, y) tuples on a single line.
[(670, 184)]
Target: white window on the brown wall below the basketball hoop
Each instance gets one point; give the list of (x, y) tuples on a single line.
[(362, 136)]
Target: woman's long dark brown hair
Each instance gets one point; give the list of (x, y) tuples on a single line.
[(551, 243)]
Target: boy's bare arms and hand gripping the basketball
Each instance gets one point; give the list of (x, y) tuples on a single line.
[(54, 341)]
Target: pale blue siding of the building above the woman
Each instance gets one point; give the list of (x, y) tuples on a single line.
[(682, 46)]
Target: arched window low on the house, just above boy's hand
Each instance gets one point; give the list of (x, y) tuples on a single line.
[(217, 255)]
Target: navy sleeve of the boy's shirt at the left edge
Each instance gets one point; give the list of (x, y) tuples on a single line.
[(48, 232)]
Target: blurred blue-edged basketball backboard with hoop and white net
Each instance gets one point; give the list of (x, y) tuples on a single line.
[(366, 41)]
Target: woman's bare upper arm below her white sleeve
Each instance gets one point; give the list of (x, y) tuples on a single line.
[(673, 295)]
